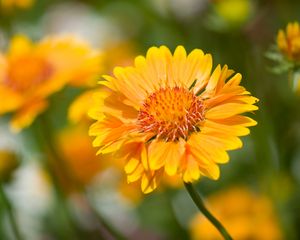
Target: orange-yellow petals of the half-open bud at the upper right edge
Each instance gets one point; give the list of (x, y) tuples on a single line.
[(289, 41)]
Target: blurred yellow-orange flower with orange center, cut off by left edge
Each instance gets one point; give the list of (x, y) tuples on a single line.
[(31, 72)]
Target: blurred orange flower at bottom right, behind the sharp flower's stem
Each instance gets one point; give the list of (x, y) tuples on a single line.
[(246, 215)]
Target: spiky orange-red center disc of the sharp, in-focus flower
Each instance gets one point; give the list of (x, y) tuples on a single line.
[(171, 113)]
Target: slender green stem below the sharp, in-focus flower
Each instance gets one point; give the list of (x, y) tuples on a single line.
[(199, 202)]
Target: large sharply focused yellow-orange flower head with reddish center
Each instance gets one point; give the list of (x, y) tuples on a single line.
[(170, 114)]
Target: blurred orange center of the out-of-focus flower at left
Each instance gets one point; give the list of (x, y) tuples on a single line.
[(27, 72)]
